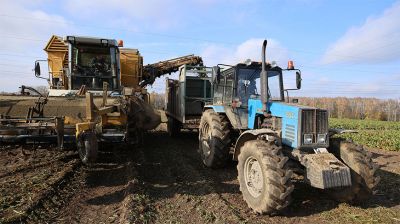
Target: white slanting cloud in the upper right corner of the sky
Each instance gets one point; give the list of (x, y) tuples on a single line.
[(377, 40)]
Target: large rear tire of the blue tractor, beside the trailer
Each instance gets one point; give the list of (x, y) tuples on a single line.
[(214, 139)]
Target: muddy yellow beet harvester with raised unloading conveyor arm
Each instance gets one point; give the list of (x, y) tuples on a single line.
[(96, 93)]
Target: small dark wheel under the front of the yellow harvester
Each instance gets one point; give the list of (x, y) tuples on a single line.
[(87, 147)]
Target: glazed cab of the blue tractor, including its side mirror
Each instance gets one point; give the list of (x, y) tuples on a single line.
[(237, 90)]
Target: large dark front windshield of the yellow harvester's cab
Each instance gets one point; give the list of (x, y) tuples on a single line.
[(91, 66)]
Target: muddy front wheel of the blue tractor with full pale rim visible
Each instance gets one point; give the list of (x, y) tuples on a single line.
[(264, 177)]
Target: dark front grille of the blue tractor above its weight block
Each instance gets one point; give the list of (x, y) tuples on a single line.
[(314, 121)]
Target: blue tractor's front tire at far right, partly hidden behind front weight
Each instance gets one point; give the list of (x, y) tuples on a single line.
[(363, 171)]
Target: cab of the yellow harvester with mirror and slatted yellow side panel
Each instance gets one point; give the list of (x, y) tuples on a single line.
[(75, 62)]
